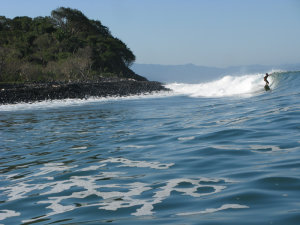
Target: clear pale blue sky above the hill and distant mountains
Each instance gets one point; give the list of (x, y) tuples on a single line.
[(203, 32)]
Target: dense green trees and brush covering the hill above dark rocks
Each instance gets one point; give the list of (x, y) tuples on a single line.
[(66, 46)]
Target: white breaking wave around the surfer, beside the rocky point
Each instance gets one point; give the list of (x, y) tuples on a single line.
[(245, 85)]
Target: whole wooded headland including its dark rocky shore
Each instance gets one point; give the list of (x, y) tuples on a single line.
[(65, 55)]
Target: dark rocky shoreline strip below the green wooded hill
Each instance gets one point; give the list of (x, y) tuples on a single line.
[(31, 92)]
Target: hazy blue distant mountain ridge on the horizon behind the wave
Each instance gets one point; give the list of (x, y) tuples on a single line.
[(191, 73)]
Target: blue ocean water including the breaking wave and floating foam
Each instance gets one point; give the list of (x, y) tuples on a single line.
[(222, 152)]
